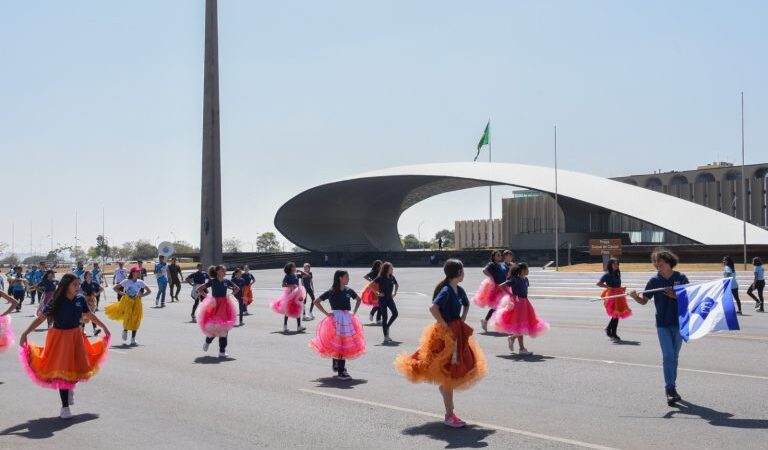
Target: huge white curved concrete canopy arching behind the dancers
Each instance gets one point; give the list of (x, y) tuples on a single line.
[(361, 212)]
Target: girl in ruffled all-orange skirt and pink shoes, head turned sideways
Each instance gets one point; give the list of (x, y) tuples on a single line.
[(448, 355)]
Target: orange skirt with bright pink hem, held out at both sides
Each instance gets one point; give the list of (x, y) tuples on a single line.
[(67, 358)]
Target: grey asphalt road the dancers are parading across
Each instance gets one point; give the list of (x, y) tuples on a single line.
[(578, 390)]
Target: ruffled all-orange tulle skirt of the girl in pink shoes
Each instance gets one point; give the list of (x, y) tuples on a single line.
[(447, 356)]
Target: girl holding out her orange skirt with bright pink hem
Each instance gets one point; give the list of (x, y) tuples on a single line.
[(68, 357)]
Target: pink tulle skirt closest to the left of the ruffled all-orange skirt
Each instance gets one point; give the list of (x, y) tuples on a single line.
[(339, 336)]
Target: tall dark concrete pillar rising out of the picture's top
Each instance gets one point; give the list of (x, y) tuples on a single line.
[(210, 198)]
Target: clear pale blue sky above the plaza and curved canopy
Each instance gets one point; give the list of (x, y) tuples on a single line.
[(102, 101)]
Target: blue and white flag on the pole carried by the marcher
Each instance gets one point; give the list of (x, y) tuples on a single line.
[(703, 308)]
